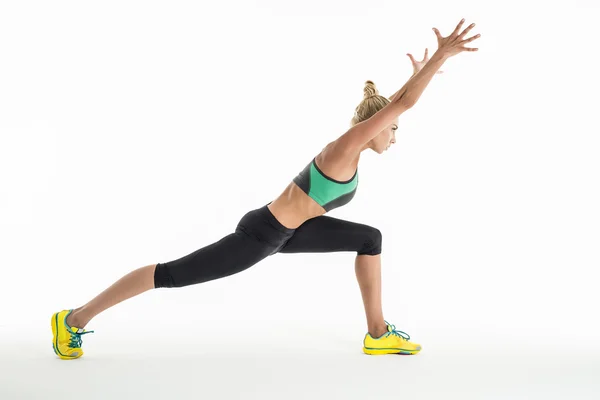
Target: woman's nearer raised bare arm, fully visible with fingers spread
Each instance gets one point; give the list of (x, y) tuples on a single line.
[(360, 134)]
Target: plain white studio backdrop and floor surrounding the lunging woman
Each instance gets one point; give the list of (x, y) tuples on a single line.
[(136, 132)]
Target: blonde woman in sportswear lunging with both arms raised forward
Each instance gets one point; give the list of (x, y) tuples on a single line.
[(294, 222)]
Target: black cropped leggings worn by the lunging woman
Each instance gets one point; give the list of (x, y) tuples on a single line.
[(259, 235)]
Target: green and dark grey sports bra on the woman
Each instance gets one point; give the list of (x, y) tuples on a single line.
[(327, 192)]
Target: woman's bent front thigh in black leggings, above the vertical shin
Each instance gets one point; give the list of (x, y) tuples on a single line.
[(326, 234)]
